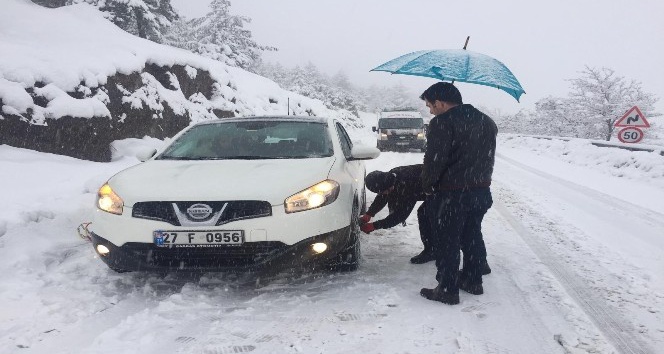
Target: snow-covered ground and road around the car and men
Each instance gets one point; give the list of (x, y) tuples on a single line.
[(574, 240)]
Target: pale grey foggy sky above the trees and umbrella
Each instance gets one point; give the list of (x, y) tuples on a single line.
[(544, 44)]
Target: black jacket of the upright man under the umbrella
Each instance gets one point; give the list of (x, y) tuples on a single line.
[(461, 150)]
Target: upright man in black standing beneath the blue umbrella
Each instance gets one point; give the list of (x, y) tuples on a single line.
[(458, 164)]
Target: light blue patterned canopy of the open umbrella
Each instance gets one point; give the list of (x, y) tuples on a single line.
[(456, 65)]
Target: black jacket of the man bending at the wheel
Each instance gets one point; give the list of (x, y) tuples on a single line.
[(407, 191)]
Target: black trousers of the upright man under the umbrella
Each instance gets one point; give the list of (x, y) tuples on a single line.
[(455, 219)]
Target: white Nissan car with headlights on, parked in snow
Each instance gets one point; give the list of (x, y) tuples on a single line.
[(240, 194)]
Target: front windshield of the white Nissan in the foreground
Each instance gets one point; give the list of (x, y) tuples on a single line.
[(251, 140)]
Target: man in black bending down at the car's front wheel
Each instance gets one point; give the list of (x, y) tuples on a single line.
[(400, 189)]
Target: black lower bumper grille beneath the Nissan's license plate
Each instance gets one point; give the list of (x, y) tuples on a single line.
[(239, 256)]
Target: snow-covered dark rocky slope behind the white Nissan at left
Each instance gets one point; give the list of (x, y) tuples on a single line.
[(71, 82)]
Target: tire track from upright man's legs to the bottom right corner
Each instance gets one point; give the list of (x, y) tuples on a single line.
[(617, 330)]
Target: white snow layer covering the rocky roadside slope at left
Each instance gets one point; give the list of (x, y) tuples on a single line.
[(71, 48)]
